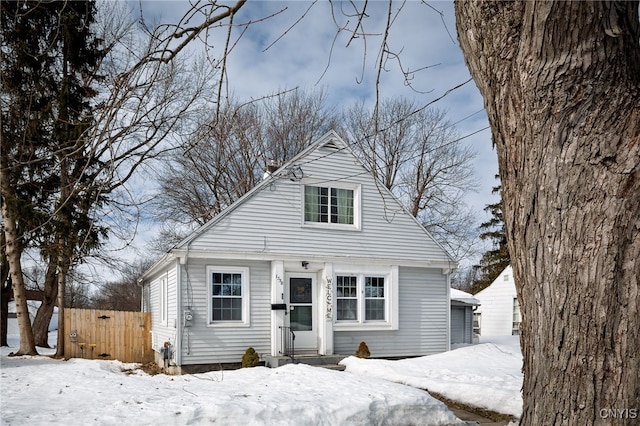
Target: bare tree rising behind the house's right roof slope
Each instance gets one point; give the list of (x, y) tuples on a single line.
[(417, 154)]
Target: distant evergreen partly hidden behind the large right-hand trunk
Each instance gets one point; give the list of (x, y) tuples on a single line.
[(495, 260)]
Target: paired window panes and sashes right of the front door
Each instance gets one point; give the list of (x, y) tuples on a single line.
[(361, 298)]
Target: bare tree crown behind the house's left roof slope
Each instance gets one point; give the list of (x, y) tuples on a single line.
[(228, 154)]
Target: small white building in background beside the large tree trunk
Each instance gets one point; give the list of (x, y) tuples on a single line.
[(499, 313)]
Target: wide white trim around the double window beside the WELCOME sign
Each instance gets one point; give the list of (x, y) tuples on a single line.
[(391, 297)]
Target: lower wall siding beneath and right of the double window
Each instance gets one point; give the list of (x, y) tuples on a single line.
[(422, 319)]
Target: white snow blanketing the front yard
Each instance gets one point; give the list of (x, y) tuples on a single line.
[(40, 390)]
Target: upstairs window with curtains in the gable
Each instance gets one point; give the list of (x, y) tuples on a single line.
[(326, 204)]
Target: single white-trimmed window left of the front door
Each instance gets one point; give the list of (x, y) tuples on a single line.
[(228, 295)]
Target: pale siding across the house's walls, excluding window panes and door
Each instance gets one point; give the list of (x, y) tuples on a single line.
[(268, 225)]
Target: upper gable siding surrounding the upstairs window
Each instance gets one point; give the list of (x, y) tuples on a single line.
[(272, 220)]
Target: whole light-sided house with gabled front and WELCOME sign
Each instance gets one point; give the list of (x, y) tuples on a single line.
[(318, 250)]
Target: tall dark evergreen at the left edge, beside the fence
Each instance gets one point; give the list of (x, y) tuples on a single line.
[(50, 58)]
